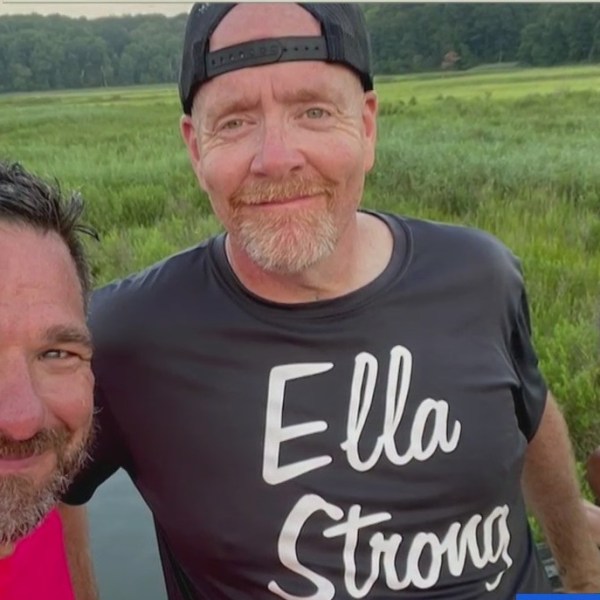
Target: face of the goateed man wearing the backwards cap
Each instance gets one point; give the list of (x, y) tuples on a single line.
[(282, 149)]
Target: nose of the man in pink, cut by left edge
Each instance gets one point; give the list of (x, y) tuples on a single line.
[(21, 408)]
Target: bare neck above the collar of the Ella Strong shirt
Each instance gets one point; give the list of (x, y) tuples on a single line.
[(363, 252)]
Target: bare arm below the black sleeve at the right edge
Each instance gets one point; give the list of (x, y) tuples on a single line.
[(551, 490)]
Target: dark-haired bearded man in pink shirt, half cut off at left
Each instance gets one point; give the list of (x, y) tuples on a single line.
[(45, 380)]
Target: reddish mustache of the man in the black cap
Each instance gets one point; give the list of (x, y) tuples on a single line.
[(270, 191)]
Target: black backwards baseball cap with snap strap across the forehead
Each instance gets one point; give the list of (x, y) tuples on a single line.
[(344, 40)]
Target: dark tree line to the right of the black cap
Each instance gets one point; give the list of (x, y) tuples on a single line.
[(422, 37)]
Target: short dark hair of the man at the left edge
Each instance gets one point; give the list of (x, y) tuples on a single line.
[(26, 199)]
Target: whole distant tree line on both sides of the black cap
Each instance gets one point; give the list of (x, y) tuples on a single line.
[(58, 52)]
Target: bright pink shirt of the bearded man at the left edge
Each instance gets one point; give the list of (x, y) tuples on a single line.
[(37, 569)]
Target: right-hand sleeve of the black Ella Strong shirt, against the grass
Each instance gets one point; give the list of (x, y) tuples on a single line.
[(530, 395)]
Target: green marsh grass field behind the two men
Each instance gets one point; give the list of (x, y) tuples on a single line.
[(514, 152)]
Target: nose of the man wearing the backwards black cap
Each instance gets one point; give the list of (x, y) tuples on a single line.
[(277, 155)]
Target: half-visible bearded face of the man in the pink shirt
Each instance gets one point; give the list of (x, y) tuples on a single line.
[(46, 382)]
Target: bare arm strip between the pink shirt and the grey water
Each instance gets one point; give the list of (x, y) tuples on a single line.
[(75, 529)]
